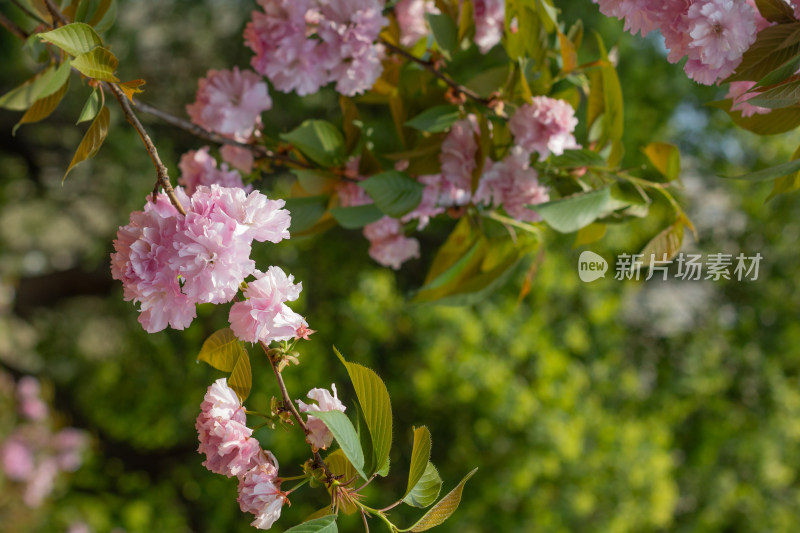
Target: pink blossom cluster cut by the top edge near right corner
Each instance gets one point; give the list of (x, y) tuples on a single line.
[(714, 34)]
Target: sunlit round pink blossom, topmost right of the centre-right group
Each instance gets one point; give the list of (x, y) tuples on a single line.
[(545, 126)]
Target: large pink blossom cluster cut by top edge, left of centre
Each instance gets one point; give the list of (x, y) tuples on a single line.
[(301, 45)]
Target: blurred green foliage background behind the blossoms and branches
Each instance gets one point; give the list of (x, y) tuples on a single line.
[(604, 407)]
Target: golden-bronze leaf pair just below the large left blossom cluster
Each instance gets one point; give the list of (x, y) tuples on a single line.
[(223, 351)]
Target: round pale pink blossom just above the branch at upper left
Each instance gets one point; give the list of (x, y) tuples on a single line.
[(230, 102)]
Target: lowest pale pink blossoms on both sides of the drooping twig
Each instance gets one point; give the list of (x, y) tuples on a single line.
[(231, 449)]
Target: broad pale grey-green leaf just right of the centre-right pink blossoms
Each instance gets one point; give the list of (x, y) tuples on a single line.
[(579, 210)]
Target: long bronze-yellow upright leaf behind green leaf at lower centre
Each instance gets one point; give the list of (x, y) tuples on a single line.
[(373, 397)]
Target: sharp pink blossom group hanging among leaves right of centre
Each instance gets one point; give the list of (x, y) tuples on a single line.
[(545, 126)]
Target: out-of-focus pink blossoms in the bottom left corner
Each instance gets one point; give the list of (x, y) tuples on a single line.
[(33, 455)]
